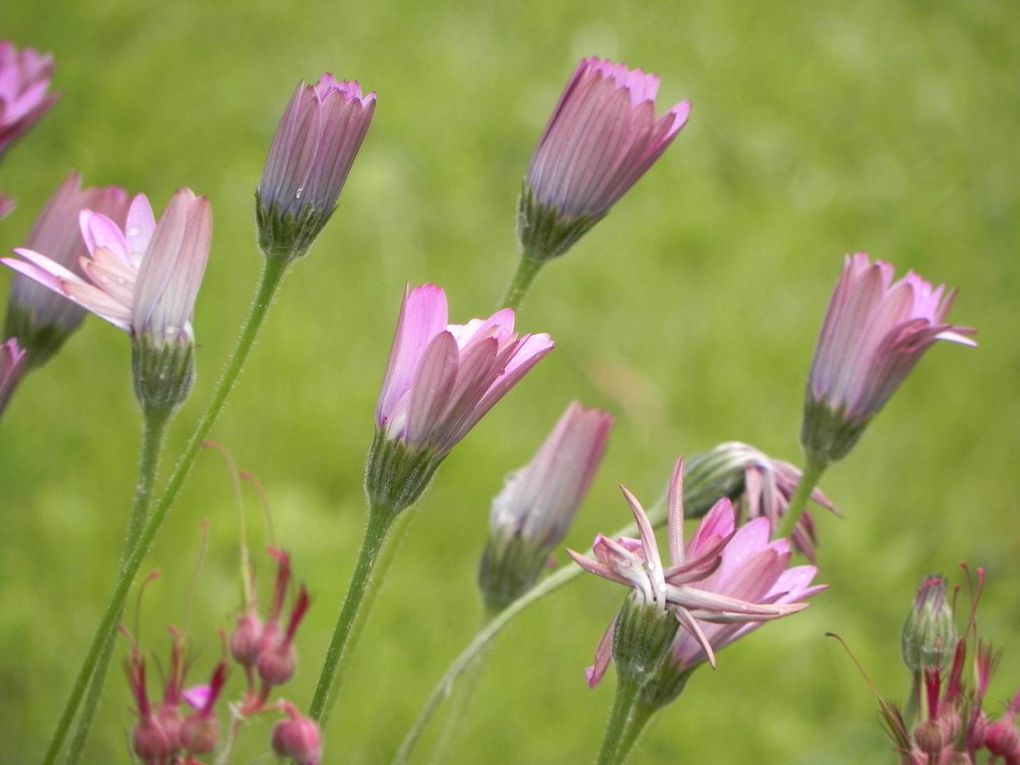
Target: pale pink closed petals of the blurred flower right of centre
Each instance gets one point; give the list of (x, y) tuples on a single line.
[(539, 502)]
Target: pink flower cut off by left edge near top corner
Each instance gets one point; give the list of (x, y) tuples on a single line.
[(25, 80)]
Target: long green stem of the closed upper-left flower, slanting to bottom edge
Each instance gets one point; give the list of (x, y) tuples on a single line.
[(272, 277)]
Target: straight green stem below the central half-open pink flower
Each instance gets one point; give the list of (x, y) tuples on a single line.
[(377, 532)]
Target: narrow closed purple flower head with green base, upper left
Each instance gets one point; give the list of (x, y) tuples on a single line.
[(312, 155)]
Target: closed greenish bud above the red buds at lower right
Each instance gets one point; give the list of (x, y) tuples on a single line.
[(929, 636)]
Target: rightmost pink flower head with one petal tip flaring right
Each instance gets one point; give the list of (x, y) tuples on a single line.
[(876, 331)]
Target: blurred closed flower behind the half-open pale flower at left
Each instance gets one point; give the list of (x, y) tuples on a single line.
[(41, 320)]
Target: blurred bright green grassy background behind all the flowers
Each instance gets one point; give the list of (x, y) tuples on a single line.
[(819, 129)]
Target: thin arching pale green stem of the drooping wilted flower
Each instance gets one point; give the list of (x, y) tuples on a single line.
[(565, 576)]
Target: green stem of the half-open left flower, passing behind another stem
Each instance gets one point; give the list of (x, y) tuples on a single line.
[(152, 442)]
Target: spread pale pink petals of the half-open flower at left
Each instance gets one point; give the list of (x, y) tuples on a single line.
[(143, 279)]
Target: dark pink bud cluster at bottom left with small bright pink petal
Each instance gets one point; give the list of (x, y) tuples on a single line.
[(164, 736)]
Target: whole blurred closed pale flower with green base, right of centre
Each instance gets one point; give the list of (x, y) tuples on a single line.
[(538, 504)]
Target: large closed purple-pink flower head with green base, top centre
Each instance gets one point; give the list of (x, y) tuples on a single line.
[(602, 137)]
